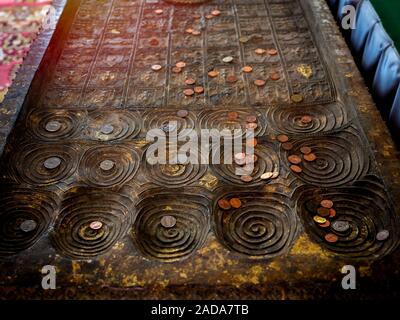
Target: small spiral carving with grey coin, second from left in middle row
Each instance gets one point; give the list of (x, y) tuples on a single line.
[(109, 165)]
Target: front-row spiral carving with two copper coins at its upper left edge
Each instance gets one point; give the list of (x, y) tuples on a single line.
[(264, 226)]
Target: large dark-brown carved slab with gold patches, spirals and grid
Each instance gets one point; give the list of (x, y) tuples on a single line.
[(115, 226)]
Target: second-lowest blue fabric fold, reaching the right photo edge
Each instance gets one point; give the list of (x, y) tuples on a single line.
[(386, 80)]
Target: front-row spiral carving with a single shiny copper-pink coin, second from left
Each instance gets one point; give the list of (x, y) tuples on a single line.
[(74, 235)]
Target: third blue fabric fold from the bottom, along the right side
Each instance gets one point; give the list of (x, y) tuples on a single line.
[(378, 40)]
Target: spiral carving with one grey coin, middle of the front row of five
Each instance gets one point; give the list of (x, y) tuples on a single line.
[(190, 212)]
